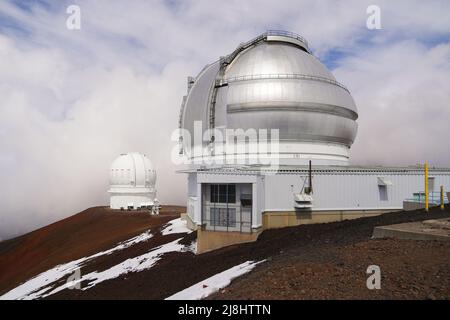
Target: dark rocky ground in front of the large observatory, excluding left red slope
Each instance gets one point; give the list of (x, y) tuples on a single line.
[(322, 261)]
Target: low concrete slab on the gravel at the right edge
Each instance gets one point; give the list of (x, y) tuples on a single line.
[(423, 230)]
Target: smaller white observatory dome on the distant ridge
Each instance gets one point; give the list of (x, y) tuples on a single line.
[(132, 180)]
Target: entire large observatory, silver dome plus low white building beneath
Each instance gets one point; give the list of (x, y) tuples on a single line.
[(290, 125)]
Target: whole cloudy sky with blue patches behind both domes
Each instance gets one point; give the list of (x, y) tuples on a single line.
[(73, 100)]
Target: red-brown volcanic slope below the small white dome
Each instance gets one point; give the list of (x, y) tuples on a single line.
[(80, 235)]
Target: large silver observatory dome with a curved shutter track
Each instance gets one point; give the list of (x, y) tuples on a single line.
[(274, 82)]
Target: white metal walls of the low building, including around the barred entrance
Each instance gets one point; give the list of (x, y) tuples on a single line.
[(332, 190)]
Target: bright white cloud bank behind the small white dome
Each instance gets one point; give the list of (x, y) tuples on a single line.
[(61, 165)]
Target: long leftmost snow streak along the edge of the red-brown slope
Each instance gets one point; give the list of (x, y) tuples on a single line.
[(37, 286)]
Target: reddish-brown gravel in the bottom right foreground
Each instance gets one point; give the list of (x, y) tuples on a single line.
[(409, 270)]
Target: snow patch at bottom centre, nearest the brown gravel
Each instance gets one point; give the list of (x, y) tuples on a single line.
[(213, 284)]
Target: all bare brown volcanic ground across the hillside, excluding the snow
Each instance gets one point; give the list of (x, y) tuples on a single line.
[(319, 261)]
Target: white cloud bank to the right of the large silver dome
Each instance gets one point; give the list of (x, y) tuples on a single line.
[(402, 92)]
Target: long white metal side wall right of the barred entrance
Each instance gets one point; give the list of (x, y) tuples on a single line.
[(350, 190)]
